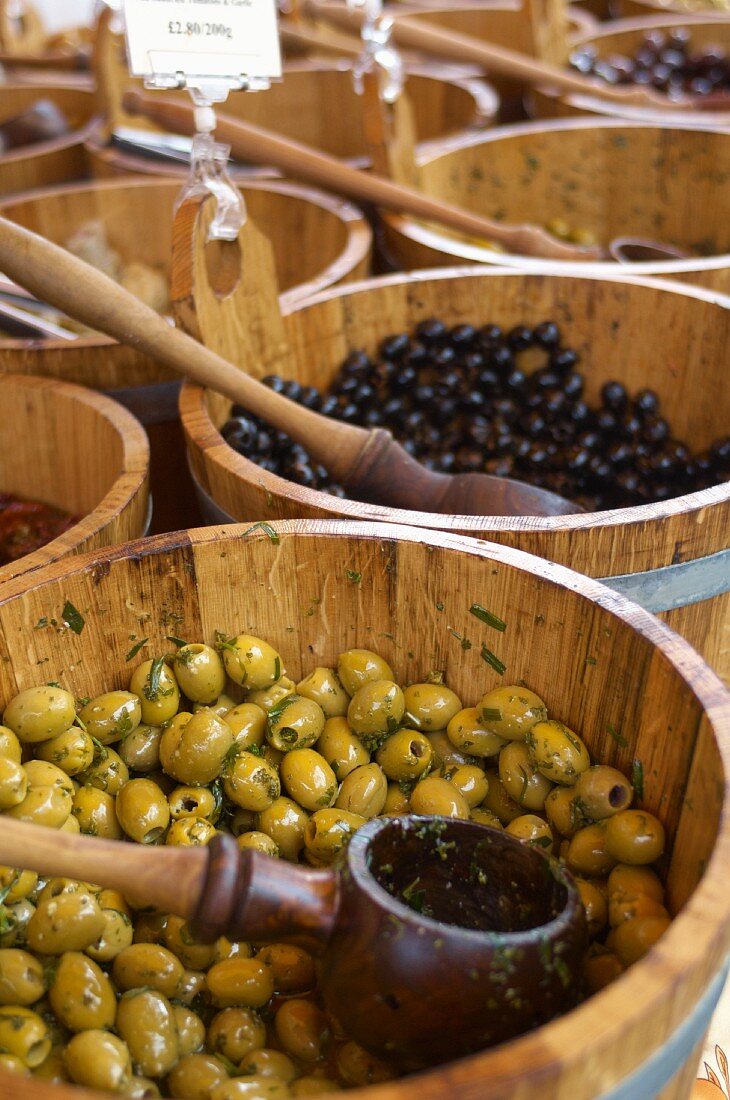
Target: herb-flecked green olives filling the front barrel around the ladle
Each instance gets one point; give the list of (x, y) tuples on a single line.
[(97, 991)]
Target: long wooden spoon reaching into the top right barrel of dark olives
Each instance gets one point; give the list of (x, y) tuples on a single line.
[(417, 35)]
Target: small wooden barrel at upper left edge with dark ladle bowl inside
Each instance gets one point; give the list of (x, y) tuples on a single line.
[(47, 162)]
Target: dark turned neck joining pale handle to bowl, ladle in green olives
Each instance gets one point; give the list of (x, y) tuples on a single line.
[(249, 896)]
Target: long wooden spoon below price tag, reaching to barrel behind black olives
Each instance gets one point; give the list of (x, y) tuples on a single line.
[(259, 146)]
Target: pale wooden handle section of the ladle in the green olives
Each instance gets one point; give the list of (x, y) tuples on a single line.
[(171, 879)]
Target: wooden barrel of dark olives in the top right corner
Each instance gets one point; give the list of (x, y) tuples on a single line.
[(623, 37)]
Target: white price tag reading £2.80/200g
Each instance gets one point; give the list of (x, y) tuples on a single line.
[(183, 39)]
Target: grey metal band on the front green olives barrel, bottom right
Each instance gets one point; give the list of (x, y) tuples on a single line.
[(659, 1070)]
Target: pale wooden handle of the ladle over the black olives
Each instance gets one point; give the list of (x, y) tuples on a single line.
[(70, 284)]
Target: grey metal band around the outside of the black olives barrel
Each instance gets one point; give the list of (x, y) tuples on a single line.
[(689, 582)]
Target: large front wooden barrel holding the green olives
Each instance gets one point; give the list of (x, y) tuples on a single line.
[(599, 661)]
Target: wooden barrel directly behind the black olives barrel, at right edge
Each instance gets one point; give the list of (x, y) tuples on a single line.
[(611, 178)]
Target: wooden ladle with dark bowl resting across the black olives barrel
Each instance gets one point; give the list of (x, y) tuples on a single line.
[(369, 464)]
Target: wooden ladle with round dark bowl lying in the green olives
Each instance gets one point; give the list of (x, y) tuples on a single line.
[(438, 937)]
